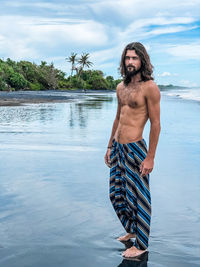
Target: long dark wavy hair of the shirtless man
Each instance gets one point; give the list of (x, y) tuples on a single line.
[(146, 66)]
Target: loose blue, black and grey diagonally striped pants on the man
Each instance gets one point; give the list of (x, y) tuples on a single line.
[(129, 191)]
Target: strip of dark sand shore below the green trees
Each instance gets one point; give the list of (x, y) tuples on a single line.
[(18, 98)]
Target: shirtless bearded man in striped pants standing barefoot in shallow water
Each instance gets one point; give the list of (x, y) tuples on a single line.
[(127, 156)]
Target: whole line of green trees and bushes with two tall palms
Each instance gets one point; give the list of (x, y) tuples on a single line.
[(25, 75)]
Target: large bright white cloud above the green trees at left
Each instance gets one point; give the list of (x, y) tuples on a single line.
[(23, 37)]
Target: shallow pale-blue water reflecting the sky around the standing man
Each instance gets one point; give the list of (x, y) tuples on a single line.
[(54, 204)]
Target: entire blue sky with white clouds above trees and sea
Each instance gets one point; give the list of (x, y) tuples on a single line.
[(39, 30)]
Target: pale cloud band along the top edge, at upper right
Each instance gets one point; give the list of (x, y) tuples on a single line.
[(134, 9)]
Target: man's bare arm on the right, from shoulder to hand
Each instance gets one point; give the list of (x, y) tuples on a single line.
[(153, 106)]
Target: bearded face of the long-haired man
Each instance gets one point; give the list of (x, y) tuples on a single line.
[(132, 62)]
